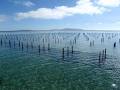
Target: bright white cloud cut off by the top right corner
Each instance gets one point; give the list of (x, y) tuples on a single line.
[(109, 3)]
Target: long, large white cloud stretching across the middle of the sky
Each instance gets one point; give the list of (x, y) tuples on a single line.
[(81, 7)]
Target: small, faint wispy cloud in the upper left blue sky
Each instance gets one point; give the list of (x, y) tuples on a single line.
[(23, 3)]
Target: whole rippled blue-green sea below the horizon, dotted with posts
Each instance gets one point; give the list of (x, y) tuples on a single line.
[(59, 60)]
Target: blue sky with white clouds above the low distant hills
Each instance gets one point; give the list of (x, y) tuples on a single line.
[(58, 14)]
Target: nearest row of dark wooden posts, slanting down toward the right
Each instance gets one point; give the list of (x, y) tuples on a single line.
[(102, 55)]
